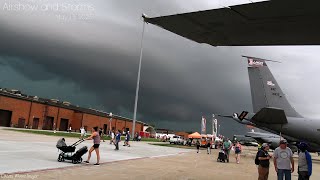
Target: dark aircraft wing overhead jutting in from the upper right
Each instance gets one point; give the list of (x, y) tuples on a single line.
[(275, 22)]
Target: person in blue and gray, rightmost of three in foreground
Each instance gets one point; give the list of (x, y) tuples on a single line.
[(304, 162)]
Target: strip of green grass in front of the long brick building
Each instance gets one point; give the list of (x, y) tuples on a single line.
[(66, 134)]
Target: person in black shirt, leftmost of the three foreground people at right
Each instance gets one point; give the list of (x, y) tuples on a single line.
[(264, 163)]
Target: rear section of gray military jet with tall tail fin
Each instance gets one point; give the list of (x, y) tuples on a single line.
[(272, 111)]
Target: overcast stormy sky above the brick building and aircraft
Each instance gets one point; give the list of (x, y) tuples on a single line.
[(87, 52)]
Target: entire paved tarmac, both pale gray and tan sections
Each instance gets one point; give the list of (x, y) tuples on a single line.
[(28, 156)]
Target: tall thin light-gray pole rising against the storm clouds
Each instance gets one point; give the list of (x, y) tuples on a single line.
[(138, 83)]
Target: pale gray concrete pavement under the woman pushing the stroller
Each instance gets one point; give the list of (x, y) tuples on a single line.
[(25, 152)]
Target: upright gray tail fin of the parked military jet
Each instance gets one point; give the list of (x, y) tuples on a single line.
[(265, 90)]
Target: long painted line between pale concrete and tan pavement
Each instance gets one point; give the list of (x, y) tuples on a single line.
[(83, 165)]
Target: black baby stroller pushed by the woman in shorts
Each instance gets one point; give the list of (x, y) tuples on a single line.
[(68, 151)]
